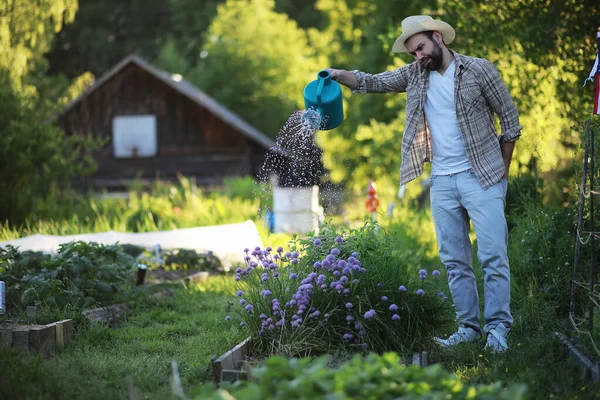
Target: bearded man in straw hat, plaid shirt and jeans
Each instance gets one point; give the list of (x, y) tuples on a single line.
[(450, 107)]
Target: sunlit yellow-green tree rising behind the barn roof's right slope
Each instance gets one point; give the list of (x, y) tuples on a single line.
[(267, 56)]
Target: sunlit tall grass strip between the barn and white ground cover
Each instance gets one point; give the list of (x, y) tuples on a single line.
[(164, 206)]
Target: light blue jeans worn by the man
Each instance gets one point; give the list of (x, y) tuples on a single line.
[(455, 199)]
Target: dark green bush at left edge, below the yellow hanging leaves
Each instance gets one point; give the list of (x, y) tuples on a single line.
[(37, 159)]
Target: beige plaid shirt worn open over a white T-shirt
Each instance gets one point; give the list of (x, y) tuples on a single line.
[(479, 92)]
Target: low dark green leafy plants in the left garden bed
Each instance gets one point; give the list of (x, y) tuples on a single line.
[(81, 274)]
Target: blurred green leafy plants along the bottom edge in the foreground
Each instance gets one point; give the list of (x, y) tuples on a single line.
[(372, 377)]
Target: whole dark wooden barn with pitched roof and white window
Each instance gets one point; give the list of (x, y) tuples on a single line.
[(159, 126)]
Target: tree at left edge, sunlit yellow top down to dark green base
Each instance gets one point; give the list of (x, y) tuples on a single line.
[(36, 159)]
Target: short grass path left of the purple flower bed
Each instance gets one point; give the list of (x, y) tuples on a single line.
[(188, 327)]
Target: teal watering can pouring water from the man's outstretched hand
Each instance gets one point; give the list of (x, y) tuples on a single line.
[(324, 96)]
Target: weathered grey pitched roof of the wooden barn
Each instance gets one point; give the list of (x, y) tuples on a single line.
[(185, 88)]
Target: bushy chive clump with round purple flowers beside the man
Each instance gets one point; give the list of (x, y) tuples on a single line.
[(353, 292)]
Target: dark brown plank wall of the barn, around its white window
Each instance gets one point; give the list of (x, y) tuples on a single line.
[(191, 140)]
